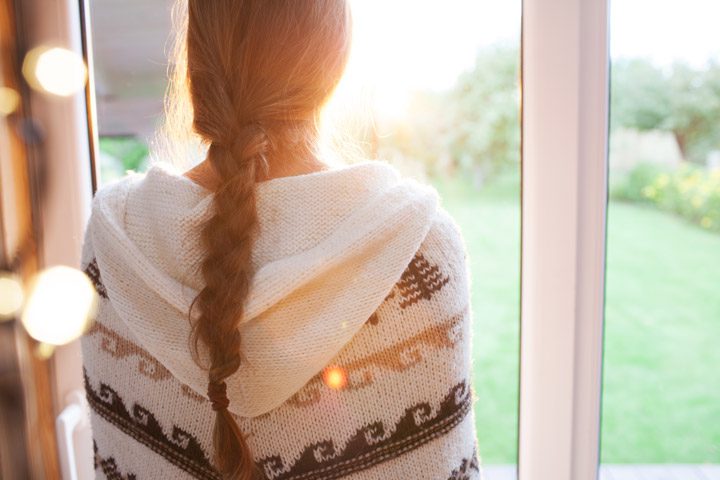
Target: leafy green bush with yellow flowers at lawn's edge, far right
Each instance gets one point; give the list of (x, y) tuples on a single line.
[(690, 191)]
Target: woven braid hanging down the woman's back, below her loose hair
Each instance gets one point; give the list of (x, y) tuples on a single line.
[(227, 238)]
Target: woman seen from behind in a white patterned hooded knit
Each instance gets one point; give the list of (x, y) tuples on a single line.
[(264, 315)]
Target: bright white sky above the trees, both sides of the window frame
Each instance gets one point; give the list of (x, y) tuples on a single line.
[(401, 45)]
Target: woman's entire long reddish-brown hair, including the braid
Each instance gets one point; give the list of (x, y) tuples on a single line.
[(258, 73)]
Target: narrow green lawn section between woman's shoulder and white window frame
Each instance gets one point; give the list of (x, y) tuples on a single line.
[(490, 222)]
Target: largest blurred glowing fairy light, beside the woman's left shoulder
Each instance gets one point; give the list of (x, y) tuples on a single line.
[(60, 306)]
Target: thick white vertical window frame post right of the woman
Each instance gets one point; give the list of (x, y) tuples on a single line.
[(565, 109)]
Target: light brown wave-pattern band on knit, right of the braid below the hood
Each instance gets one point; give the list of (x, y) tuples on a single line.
[(398, 357)]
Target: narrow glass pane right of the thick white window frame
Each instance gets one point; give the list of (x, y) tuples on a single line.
[(661, 392)]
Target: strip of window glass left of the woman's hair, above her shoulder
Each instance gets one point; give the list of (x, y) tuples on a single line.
[(130, 64)]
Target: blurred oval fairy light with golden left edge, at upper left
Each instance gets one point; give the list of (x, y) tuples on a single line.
[(55, 70)]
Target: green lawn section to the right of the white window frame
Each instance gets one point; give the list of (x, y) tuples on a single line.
[(662, 339)]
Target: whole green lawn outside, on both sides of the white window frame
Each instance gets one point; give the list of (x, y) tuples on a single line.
[(662, 351)]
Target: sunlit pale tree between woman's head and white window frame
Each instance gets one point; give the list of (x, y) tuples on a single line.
[(474, 127)]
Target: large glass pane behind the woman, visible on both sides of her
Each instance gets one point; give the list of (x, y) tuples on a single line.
[(432, 88)]
